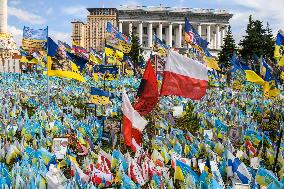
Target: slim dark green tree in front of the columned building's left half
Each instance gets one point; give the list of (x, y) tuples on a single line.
[(136, 52)]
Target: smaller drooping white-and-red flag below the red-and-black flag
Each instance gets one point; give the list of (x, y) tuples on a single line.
[(133, 124)]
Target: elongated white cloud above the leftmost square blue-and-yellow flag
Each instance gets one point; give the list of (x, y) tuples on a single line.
[(26, 16)]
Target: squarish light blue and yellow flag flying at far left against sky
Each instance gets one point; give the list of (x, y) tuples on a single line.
[(34, 38)]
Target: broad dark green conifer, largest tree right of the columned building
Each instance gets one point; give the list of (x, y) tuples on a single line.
[(258, 41)]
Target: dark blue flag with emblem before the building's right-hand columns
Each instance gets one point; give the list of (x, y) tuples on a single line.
[(193, 38)]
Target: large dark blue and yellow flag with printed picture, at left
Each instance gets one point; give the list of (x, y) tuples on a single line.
[(60, 64)]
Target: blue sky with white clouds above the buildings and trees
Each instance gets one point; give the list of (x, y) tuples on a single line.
[(57, 14)]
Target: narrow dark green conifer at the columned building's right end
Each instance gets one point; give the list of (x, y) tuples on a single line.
[(227, 49)]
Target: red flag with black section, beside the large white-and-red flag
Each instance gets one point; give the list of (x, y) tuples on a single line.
[(148, 91)]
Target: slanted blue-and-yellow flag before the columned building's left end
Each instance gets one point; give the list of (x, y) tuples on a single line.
[(117, 39)]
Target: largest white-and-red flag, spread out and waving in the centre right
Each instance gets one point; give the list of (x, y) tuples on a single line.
[(184, 77)]
